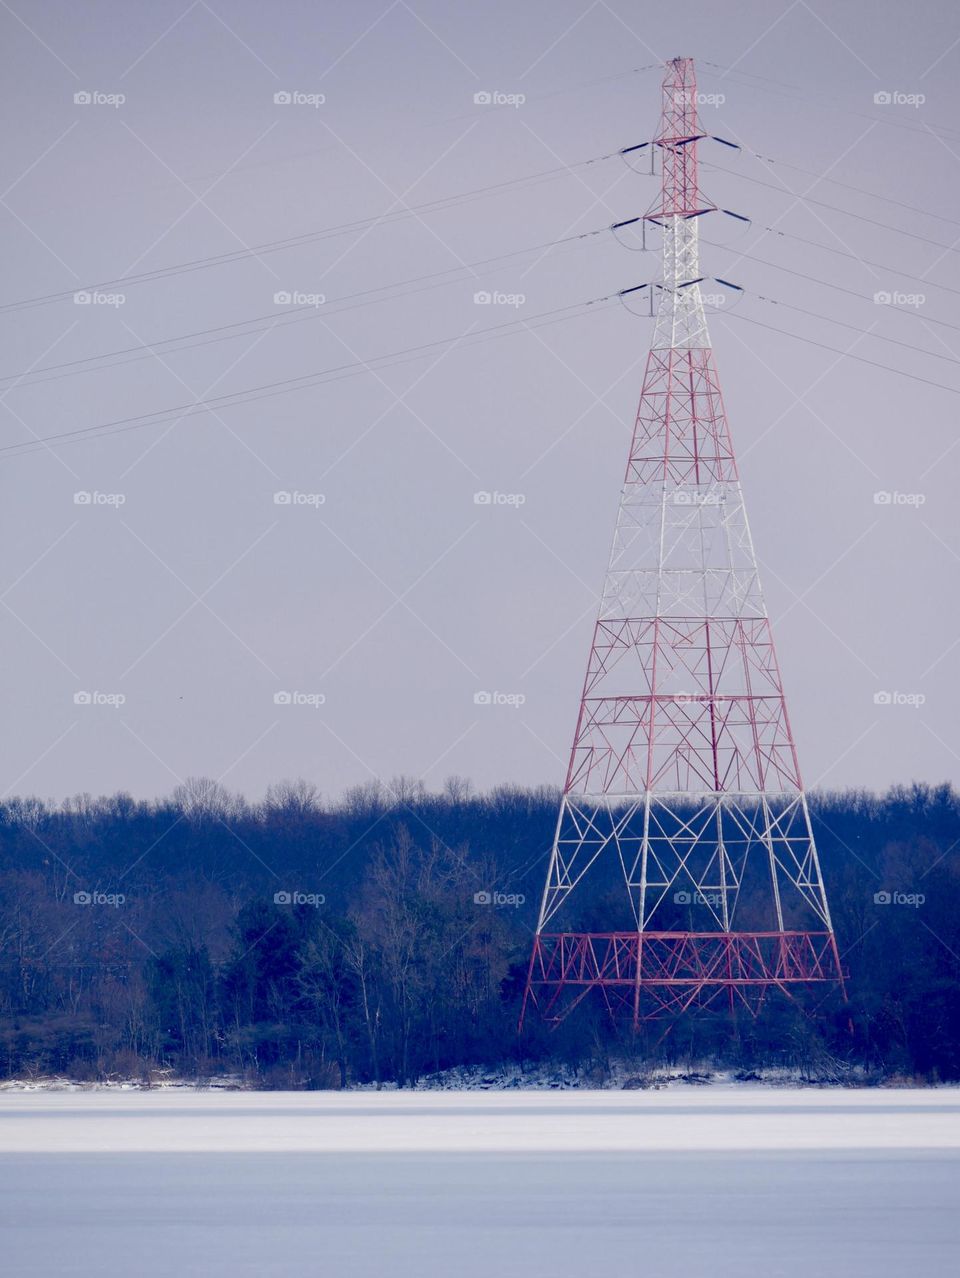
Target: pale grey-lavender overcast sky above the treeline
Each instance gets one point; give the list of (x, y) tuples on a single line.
[(304, 582)]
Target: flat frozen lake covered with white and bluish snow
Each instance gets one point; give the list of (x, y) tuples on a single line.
[(682, 1184)]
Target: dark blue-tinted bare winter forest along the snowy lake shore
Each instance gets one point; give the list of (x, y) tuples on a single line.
[(384, 937)]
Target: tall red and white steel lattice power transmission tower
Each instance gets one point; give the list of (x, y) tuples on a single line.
[(683, 774)]
